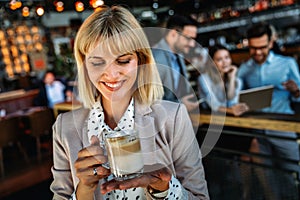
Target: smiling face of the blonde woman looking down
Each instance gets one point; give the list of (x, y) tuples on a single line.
[(114, 76)]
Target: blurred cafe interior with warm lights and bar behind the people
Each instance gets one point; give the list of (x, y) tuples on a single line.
[(37, 36)]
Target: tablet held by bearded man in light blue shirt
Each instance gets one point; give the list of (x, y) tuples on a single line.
[(257, 98)]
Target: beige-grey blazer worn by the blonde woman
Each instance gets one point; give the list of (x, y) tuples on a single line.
[(167, 137)]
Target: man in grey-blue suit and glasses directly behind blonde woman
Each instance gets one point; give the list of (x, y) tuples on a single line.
[(169, 55)]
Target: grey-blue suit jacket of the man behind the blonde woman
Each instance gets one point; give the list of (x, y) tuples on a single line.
[(161, 52)]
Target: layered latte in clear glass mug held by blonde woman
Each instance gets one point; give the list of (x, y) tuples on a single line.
[(124, 154)]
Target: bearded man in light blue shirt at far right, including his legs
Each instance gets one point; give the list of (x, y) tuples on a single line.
[(267, 68)]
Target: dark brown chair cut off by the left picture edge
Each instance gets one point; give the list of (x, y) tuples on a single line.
[(10, 132)]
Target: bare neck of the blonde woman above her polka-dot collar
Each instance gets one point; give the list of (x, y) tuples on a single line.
[(113, 111)]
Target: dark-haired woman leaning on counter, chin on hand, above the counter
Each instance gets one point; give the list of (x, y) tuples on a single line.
[(219, 84)]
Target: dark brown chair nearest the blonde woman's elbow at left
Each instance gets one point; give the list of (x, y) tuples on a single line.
[(39, 124)]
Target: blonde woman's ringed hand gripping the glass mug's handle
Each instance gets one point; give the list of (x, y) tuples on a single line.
[(90, 159)]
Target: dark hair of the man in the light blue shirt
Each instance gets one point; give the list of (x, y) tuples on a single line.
[(258, 30)]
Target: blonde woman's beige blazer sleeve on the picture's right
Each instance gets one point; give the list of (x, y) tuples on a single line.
[(187, 157)]
